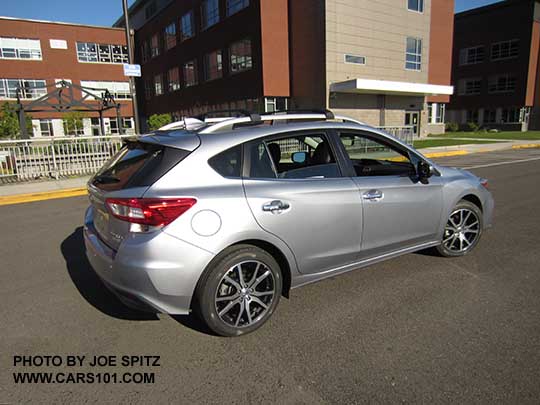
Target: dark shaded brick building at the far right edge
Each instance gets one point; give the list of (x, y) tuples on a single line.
[(495, 70)]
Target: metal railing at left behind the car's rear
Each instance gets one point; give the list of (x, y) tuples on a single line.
[(31, 159)]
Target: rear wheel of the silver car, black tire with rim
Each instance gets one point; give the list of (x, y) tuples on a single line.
[(214, 293)]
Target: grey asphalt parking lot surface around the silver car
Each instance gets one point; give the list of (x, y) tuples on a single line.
[(418, 328)]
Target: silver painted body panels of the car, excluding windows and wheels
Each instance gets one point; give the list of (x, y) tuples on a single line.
[(328, 228)]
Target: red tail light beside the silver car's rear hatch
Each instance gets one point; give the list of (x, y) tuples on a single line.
[(149, 211)]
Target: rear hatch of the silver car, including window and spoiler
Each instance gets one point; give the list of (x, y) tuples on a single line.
[(137, 166)]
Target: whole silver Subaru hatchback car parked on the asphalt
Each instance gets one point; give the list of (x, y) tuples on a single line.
[(224, 216)]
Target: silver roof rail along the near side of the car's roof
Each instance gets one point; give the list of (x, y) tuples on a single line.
[(228, 124)]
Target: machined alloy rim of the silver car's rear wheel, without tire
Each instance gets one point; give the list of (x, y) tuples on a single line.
[(245, 293)]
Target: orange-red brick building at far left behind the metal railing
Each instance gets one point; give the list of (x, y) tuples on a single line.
[(34, 54)]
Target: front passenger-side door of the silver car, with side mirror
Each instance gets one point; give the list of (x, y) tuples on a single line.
[(398, 210)]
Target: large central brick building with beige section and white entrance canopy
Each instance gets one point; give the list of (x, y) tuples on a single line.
[(384, 62)]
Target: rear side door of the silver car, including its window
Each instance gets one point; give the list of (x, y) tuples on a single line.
[(304, 201)]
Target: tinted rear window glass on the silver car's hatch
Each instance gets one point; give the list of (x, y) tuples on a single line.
[(137, 164)]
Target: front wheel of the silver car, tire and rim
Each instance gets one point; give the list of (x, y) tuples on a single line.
[(448, 249)]
